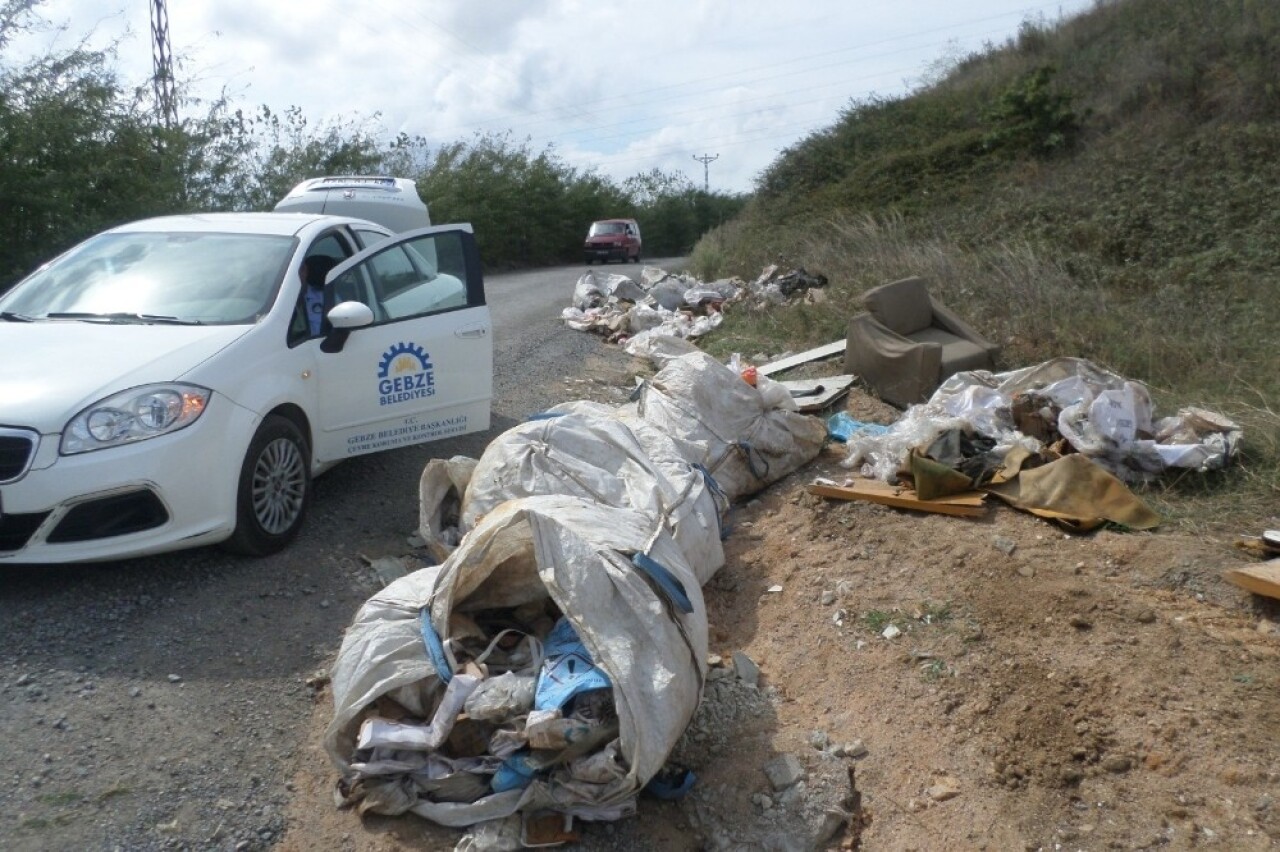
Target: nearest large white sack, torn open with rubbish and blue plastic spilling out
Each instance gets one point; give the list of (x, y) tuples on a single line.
[(565, 572)]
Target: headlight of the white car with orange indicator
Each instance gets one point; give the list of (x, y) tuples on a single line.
[(135, 415)]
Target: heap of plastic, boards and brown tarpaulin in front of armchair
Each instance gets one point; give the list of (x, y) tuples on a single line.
[(1059, 439)]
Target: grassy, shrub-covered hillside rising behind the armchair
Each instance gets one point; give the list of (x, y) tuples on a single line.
[(1105, 187)]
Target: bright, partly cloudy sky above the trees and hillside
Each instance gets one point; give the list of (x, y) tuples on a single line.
[(714, 90)]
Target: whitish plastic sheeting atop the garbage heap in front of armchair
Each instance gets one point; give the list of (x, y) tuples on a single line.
[(1099, 414)]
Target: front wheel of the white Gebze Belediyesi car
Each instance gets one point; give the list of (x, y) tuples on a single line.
[(275, 489)]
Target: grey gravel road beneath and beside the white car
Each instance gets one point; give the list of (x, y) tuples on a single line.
[(158, 704)]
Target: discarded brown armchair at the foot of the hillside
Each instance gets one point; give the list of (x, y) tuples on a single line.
[(906, 345)]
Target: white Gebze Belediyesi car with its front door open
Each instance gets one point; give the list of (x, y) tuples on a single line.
[(161, 387)]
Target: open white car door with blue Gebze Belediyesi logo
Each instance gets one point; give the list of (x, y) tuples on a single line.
[(420, 368)]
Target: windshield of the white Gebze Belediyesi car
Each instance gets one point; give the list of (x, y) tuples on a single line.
[(208, 278)]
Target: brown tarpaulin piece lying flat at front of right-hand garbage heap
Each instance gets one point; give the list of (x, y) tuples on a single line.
[(1078, 494)]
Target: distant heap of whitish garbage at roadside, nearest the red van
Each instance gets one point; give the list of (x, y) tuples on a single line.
[(674, 305)]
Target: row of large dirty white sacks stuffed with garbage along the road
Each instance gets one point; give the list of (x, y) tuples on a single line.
[(552, 661)]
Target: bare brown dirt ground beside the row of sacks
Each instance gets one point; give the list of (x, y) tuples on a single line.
[(1041, 690)]
